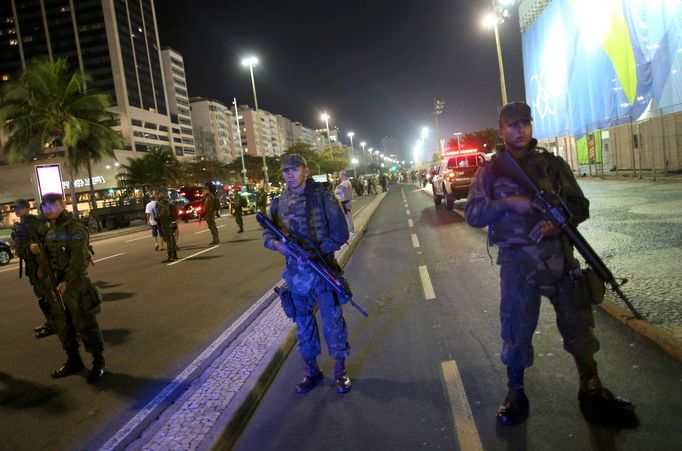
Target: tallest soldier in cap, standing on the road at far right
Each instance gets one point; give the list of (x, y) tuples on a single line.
[(529, 269)]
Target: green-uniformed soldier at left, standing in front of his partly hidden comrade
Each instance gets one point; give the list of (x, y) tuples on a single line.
[(66, 243)]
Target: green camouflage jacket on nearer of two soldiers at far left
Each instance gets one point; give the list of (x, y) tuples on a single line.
[(67, 246)]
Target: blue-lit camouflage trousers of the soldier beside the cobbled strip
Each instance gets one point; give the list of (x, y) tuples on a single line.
[(334, 325)]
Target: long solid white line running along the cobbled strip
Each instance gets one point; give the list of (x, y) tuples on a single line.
[(161, 398)]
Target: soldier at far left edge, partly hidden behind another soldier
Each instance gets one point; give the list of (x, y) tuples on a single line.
[(32, 226)]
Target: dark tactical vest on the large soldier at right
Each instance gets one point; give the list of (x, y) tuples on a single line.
[(512, 228)]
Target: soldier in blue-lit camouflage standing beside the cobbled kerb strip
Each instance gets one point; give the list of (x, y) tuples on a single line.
[(312, 216)]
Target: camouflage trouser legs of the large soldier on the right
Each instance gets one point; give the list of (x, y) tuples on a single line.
[(520, 309)]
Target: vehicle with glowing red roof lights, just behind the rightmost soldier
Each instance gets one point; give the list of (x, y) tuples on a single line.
[(451, 178)]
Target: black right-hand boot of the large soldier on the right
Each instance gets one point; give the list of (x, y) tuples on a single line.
[(597, 404)]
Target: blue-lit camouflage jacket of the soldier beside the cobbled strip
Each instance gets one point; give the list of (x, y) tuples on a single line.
[(326, 229)]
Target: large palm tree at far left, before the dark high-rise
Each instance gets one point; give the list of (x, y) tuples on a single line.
[(49, 107)]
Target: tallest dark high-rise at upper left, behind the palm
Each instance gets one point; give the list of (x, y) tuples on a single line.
[(115, 41)]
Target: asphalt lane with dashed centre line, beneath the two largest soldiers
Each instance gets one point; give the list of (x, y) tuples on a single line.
[(425, 365)]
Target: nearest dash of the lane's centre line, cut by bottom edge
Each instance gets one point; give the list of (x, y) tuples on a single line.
[(467, 433)]
